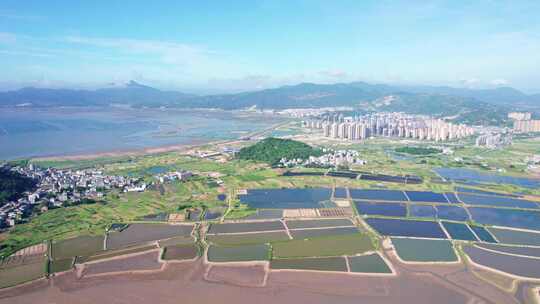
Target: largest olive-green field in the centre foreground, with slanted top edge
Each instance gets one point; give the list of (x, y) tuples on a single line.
[(323, 246)]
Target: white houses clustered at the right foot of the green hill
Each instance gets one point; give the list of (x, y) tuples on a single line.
[(330, 159)]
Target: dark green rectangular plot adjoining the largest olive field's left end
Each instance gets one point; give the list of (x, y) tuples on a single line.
[(239, 253)]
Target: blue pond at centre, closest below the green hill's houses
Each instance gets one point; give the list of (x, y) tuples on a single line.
[(286, 198)]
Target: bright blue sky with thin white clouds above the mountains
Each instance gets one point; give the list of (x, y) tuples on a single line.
[(220, 46)]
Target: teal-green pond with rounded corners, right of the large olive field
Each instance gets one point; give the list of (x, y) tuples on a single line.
[(431, 250)]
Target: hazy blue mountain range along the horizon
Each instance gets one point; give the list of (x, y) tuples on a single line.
[(468, 105)]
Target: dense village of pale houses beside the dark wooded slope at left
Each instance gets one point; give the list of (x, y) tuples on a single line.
[(57, 188)]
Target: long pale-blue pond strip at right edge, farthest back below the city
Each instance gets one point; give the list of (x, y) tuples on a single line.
[(462, 174)]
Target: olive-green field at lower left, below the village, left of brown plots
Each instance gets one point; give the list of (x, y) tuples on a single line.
[(79, 246)]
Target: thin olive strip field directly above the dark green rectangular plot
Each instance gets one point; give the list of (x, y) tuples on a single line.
[(248, 238)]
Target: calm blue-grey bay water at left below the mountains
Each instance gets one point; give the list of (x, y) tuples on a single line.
[(68, 131)]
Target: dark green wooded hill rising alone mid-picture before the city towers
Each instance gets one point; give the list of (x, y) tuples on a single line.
[(272, 150)]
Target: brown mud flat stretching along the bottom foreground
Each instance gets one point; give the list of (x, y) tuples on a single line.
[(185, 282)]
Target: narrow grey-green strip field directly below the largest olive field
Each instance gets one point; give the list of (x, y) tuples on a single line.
[(321, 264)]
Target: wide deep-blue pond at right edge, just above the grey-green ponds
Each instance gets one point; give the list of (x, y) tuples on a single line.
[(506, 217)]
